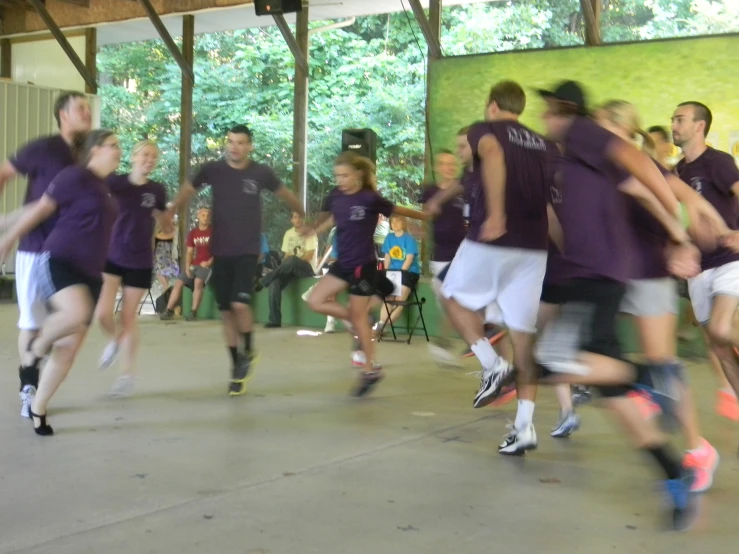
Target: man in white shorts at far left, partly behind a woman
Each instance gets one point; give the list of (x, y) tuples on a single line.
[(40, 160)]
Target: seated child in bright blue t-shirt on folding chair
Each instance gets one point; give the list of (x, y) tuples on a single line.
[(401, 254)]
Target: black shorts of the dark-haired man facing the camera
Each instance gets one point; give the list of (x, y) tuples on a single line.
[(232, 279)]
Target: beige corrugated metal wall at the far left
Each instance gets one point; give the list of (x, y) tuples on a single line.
[(26, 112)]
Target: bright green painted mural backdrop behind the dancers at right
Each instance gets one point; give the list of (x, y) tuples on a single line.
[(655, 76)]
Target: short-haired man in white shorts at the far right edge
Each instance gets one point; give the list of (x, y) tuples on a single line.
[(714, 293)]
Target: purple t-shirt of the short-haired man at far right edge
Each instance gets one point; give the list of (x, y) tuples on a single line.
[(713, 174)]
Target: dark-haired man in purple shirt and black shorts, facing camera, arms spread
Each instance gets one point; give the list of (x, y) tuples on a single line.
[(237, 183)]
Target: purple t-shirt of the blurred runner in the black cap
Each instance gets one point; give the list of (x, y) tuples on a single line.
[(599, 242)]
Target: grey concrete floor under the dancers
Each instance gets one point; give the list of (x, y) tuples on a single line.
[(298, 466)]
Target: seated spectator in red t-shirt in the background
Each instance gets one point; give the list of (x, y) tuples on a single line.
[(198, 261)]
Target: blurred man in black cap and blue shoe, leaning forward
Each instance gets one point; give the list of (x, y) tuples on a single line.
[(581, 345)]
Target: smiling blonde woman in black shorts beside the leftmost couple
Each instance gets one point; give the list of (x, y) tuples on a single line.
[(130, 262)]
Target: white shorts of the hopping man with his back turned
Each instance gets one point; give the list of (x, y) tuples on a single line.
[(506, 282)]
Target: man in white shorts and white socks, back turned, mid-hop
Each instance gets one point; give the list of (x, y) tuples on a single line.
[(500, 266)]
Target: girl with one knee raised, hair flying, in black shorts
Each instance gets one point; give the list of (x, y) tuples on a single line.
[(354, 206)]
